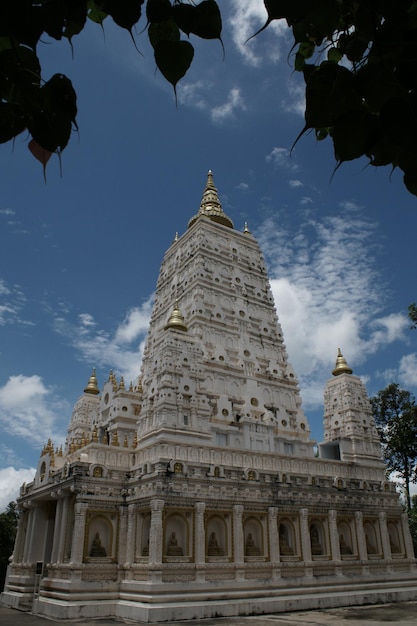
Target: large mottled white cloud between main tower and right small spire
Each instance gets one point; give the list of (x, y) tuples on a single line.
[(324, 281)]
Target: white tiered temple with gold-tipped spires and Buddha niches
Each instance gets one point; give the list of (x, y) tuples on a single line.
[(197, 491)]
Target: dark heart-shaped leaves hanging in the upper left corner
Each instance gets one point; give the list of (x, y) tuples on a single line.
[(47, 109)]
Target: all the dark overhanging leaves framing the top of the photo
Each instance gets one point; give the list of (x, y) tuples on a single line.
[(357, 57)]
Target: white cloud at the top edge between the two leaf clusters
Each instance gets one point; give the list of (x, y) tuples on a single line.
[(247, 17)]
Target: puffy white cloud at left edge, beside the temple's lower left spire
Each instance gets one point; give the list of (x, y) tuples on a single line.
[(30, 410)]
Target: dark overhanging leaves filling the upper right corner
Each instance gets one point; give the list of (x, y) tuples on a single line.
[(357, 57)]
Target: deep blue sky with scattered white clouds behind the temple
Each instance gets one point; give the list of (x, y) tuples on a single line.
[(80, 255)]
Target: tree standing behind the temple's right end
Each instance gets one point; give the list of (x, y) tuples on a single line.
[(395, 414)]
